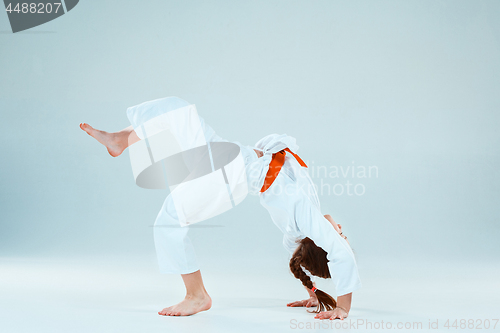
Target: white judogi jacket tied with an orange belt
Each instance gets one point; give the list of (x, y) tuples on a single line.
[(293, 203)]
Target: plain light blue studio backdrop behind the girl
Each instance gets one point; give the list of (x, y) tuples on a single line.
[(410, 87)]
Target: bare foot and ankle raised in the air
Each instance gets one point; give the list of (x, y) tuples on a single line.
[(115, 142)]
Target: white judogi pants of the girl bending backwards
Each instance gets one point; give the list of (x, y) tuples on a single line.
[(167, 127)]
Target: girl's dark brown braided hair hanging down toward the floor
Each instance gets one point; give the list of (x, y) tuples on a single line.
[(313, 258)]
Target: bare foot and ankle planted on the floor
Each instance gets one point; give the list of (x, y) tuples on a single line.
[(196, 300)]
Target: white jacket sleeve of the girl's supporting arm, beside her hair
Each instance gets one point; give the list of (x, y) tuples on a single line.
[(342, 264)]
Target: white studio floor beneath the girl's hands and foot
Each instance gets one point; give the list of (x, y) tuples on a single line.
[(124, 295)]
